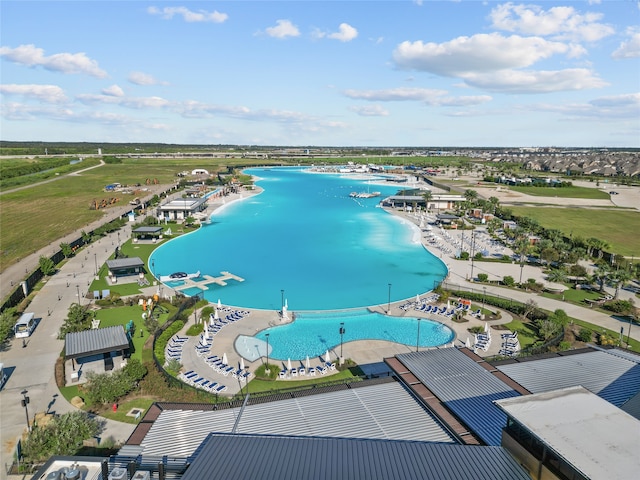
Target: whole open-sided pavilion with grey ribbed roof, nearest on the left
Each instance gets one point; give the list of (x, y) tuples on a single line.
[(96, 350)]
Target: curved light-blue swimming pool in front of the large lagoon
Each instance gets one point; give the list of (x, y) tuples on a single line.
[(313, 334)]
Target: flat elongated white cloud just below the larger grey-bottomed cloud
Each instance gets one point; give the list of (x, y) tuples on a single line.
[(516, 81)]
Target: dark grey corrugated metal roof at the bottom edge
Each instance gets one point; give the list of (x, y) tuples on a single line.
[(292, 458)]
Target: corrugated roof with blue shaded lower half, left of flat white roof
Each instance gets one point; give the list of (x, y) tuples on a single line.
[(466, 388)]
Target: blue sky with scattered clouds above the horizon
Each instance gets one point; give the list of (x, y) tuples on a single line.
[(323, 73)]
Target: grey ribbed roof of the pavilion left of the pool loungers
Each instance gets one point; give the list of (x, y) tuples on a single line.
[(95, 341)]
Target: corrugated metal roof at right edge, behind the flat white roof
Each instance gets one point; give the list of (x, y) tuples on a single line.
[(611, 376)]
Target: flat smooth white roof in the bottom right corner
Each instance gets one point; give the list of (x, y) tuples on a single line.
[(596, 438)]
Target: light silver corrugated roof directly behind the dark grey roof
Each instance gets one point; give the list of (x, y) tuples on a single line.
[(384, 411)]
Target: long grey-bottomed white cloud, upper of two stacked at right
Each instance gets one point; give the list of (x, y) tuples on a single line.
[(478, 53)]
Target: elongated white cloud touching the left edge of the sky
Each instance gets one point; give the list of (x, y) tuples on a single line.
[(60, 62)]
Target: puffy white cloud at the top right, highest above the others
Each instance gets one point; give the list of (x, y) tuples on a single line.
[(559, 22)]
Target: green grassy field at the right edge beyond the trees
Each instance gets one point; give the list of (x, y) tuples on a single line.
[(619, 228)]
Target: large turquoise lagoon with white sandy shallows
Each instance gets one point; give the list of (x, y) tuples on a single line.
[(306, 236)]
